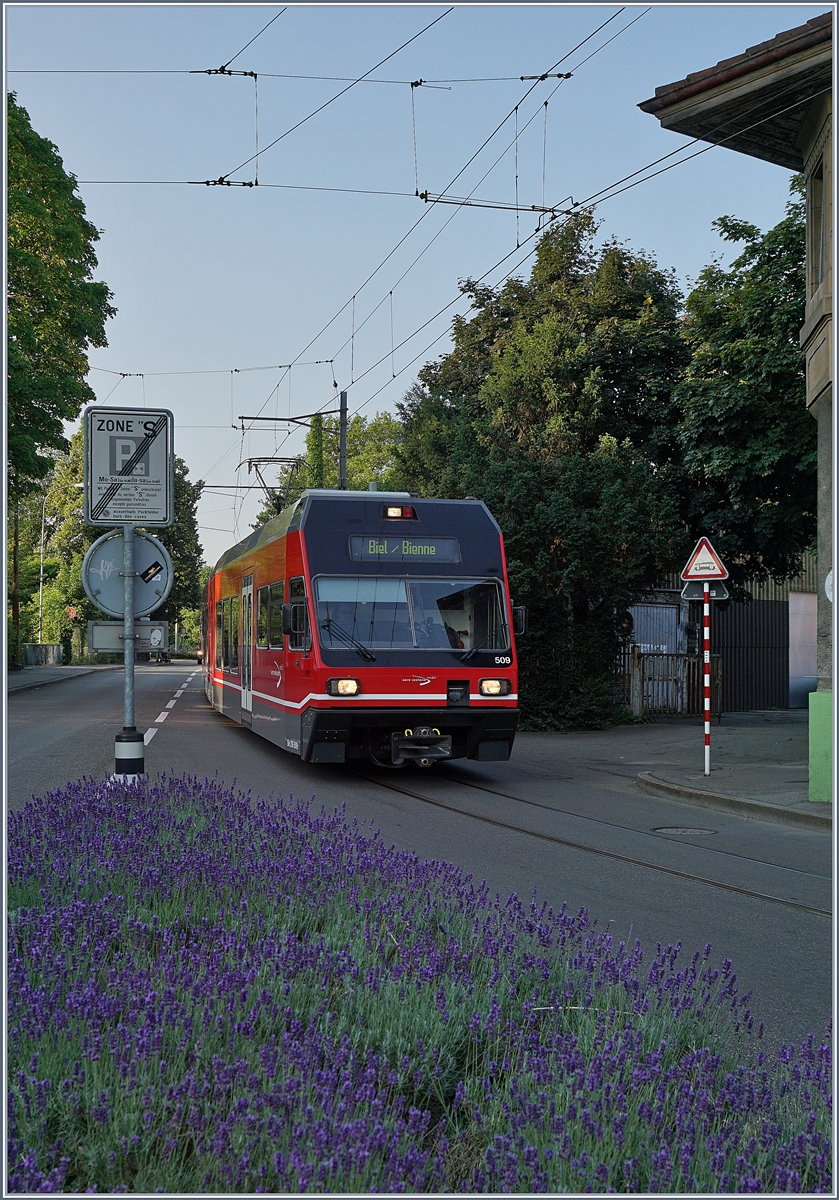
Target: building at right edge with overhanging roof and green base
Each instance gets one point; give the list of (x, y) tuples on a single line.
[(775, 103)]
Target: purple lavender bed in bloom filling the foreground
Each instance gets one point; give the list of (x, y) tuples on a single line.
[(211, 993)]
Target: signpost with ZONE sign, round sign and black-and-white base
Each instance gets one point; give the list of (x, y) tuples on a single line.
[(129, 481)]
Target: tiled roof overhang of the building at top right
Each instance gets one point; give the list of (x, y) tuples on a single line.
[(756, 103)]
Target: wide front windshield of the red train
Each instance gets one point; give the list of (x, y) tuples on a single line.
[(410, 614)]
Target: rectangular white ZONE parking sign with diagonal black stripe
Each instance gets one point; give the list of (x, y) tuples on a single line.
[(129, 467)]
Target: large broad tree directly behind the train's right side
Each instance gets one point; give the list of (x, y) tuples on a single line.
[(556, 407)]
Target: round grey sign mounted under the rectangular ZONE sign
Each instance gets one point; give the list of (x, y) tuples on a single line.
[(105, 583)]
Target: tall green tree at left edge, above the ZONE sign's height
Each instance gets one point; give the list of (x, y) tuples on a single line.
[(56, 309)]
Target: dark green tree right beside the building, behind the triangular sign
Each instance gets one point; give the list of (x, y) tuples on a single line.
[(750, 443)]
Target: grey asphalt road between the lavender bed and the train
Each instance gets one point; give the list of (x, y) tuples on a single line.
[(756, 891)]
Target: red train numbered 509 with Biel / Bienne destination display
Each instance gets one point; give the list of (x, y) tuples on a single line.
[(368, 626)]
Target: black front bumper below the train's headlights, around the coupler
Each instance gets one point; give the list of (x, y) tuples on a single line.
[(339, 735)]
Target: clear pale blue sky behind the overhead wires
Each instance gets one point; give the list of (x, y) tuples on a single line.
[(213, 283)]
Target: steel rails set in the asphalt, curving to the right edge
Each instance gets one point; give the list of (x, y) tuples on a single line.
[(596, 850)]
